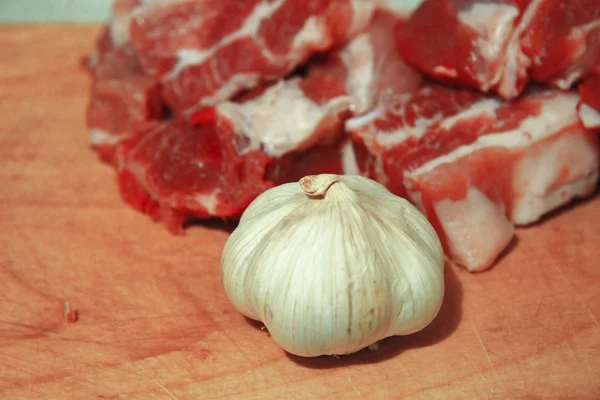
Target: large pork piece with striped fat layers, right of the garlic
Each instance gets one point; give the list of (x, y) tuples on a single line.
[(477, 165)]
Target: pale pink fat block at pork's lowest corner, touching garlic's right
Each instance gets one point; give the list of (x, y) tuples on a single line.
[(476, 227)]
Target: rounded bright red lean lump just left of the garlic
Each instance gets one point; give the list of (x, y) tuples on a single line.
[(177, 171)]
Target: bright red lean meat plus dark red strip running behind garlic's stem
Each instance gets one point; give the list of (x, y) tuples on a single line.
[(179, 171)]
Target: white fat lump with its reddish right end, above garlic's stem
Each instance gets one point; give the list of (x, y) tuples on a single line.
[(291, 115)]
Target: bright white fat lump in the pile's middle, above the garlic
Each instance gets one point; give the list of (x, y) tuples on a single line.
[(283, 119)]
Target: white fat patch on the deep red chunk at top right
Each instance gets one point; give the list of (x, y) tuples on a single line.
[(494, 22)]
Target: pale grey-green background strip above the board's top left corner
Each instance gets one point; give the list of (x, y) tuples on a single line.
[(54, 11)]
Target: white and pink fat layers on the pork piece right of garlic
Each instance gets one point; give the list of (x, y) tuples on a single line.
[(557, 162)]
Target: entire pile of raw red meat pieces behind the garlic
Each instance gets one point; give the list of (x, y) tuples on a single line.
[(482, 113)]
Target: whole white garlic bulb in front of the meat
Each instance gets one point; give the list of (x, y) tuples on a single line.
[(333, 265)]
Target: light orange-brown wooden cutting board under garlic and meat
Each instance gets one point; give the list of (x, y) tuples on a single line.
[(154, 322)]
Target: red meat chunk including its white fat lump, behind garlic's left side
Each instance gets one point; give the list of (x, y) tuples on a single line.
[(216, 161)]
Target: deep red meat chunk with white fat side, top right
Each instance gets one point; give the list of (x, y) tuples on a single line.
[(460, 41)]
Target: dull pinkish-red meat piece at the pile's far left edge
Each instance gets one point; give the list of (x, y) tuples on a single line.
[(123, 100)]
